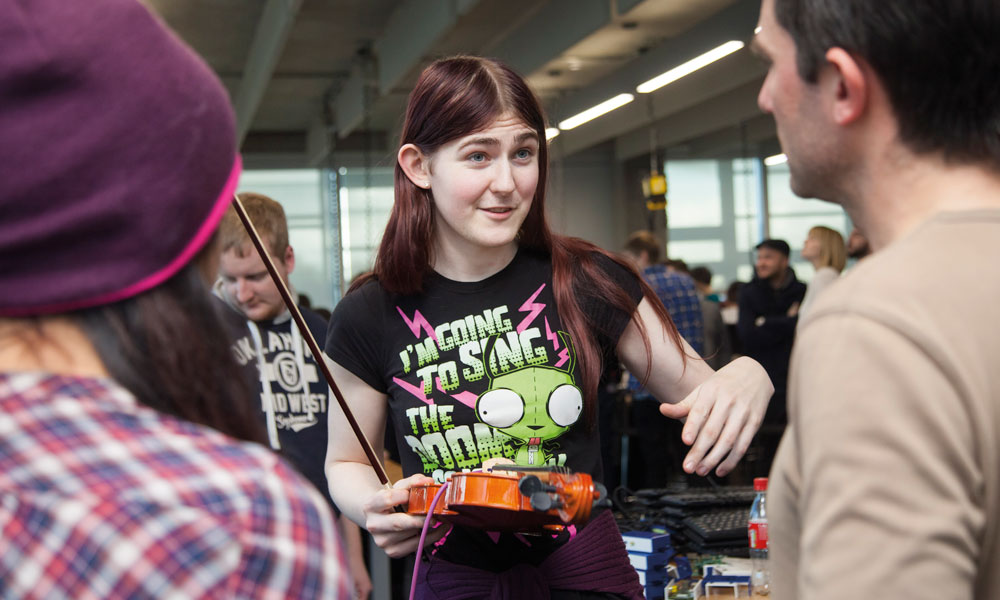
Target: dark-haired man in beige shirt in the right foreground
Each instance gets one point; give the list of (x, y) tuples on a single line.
[(887, 481)]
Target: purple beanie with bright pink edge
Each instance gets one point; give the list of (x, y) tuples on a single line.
[(117, 154)]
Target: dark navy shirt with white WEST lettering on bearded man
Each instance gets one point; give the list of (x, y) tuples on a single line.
[(294, 396)]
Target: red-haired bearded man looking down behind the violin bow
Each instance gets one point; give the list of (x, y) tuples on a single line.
[(293, 396)]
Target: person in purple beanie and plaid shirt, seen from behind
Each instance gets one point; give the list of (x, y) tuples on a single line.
[(129, 466)]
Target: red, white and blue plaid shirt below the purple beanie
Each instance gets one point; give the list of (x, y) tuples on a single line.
[(103, 498)]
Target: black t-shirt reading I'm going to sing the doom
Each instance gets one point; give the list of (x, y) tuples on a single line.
[(475, 370)]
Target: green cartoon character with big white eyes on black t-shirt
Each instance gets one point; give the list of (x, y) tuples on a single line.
[(532, 405)]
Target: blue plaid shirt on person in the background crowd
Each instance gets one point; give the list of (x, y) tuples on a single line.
[(680, 297)]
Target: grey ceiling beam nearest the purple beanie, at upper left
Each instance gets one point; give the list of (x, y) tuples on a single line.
[(269, 40)]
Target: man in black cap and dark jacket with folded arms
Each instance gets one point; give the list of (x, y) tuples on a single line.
[(769, 307)]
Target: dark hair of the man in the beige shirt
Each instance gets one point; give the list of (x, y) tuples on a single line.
[(938, 60)]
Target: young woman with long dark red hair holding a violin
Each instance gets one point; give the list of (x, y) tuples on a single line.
[(482, 335)]
